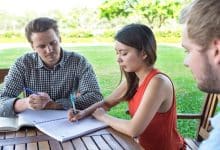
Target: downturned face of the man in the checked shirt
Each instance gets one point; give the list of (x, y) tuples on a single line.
[(47, 45)]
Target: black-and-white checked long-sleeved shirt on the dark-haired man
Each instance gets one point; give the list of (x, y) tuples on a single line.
[(73, 73)]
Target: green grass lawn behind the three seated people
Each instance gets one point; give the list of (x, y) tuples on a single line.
[(103, 59)]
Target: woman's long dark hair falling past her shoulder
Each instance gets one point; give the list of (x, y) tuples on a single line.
[(140, 37)]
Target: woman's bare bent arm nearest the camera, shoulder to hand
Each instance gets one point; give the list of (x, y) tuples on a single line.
[(158, 93)]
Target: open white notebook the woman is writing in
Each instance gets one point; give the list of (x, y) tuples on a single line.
[(55, 124)]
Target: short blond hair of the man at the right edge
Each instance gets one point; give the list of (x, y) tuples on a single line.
[(202, 18)]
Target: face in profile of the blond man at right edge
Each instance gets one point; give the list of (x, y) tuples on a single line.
[(201, 62)]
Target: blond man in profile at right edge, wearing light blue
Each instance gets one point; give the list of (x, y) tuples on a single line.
[(201, 39)]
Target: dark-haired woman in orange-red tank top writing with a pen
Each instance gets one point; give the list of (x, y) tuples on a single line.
[(150, 94)]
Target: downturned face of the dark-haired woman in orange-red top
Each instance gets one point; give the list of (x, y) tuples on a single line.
[(129, 59)]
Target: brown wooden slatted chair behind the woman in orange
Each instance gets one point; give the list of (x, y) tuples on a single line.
[(204, 126)]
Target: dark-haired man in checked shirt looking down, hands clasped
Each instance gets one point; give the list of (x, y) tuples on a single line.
[(51, 72)]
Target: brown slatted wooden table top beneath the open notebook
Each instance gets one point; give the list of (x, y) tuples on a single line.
[(33, 139)]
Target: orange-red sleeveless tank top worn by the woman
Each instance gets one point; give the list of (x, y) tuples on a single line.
[(161, 133)]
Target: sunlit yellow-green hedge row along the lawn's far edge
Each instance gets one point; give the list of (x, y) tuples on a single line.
[(86, 36)]
